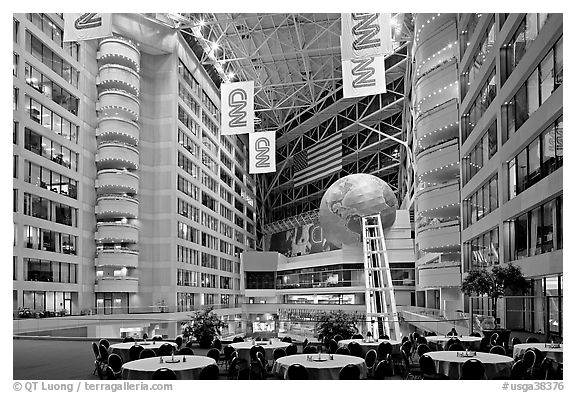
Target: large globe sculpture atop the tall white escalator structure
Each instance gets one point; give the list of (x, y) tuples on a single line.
[(351, 198)]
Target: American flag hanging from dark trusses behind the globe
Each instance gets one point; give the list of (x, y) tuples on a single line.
[(320, 160)]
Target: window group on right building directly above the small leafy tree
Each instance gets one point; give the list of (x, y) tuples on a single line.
[(482, 251)]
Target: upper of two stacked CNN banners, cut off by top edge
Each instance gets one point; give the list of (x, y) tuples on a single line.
[(365, 35)]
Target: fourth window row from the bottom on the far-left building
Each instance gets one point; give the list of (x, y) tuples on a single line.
[(46, 209)]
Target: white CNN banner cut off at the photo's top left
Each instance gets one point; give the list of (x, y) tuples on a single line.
[(80, 27)]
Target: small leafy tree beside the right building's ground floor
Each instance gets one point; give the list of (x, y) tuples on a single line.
[(495, 282)]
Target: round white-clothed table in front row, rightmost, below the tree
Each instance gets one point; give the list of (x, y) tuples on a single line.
[(448, 363)]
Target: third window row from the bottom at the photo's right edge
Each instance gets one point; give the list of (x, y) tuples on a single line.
[(539, 159)]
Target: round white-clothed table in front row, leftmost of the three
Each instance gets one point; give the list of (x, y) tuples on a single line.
[(144, 368)]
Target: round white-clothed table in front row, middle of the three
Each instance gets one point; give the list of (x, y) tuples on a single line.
[(326, 369)]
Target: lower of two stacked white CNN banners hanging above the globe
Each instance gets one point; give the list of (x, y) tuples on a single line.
[(363, 77)]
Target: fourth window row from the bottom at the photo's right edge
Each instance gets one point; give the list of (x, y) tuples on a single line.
[(540, 85)]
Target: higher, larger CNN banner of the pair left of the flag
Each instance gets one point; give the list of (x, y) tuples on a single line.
[(237, 101)]
